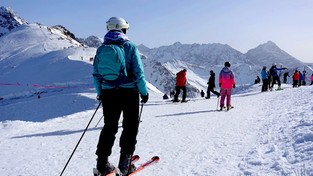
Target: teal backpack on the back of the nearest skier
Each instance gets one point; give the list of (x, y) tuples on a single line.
[(111, 64)]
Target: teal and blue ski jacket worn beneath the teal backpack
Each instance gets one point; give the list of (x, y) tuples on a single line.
[(136, 78)]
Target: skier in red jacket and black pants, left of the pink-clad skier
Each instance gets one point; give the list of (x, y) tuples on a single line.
[(181, 81)]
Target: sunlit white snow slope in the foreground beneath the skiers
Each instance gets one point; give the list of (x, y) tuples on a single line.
[(267, 133)]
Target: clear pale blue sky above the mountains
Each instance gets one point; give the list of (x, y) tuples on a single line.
[(242, 24)]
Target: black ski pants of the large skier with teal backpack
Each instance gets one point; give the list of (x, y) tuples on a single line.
[(114, 102)]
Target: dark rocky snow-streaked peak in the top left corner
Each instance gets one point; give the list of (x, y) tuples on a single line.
[(9, 20)]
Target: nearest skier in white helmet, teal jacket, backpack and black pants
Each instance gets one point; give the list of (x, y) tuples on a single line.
[(119, 80)]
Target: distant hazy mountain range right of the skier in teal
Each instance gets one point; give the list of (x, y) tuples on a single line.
[(200, 59)]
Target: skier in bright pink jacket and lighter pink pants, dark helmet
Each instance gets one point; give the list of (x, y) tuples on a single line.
[(226, 83)]
